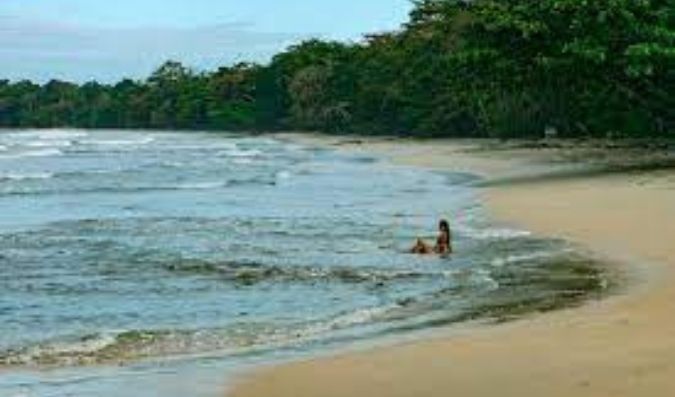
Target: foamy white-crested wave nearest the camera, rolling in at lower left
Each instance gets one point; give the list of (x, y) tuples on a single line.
[(121, 347)]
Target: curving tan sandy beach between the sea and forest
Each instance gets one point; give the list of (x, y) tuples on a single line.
[(621, 346)]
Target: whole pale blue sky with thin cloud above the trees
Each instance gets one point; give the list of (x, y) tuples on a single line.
[(107, 40)]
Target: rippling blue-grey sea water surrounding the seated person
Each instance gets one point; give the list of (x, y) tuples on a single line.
[(129, 258)]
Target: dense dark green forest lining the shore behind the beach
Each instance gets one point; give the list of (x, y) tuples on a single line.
[(501, 68)]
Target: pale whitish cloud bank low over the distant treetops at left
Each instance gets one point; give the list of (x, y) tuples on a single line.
[(42, 50)]
